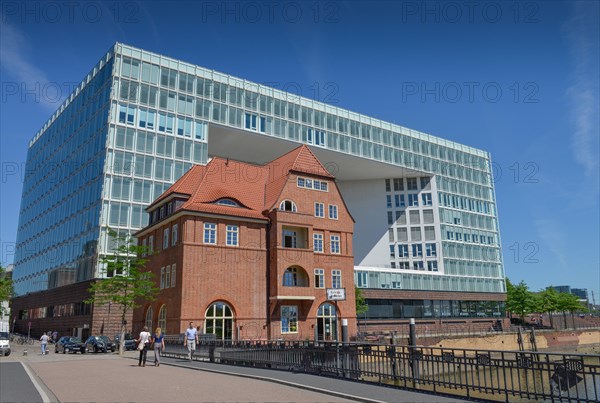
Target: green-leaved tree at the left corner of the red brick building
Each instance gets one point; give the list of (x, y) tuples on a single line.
[(127, 283)]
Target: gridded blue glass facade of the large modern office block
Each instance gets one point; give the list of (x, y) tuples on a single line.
[(148, 120)]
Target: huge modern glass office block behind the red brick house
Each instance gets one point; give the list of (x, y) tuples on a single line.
[(426, 238)]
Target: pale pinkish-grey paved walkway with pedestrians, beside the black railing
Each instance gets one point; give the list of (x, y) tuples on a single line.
[(111, 378)]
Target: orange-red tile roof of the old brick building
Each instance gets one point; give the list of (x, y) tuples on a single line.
[(254, 187)]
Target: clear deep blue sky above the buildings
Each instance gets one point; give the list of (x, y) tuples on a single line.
[(518, 79)]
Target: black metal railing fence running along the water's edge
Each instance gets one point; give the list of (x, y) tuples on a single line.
[(476, 374)]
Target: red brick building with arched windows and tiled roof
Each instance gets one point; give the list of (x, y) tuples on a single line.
[(248, 251)]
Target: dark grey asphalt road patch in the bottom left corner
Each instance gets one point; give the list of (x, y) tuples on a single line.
[(15, 384)]
